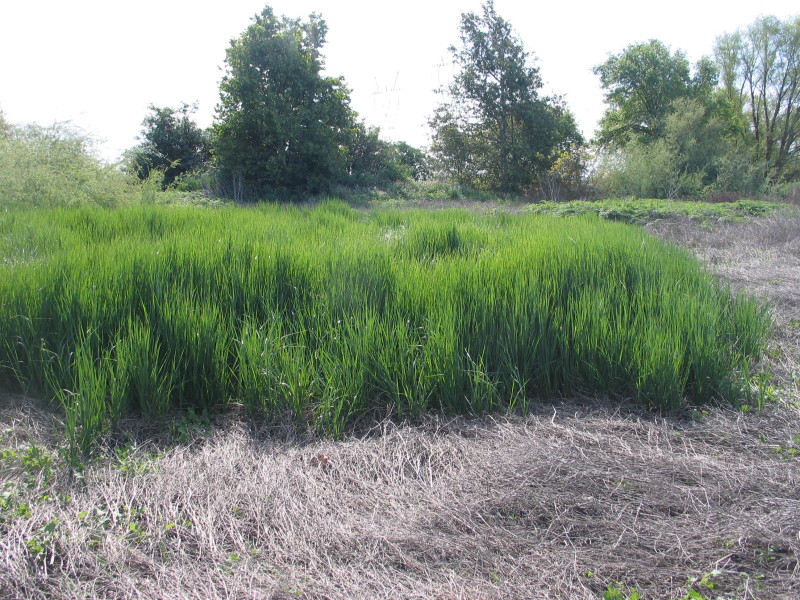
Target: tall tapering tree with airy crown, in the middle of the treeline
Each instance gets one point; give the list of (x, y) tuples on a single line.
[(495, 132)]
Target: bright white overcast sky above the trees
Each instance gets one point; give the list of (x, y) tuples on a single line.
[(100, 63)]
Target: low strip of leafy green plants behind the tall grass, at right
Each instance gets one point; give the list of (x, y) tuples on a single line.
[(638, 211)]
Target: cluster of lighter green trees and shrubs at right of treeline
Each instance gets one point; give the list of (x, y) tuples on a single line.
[(668, 133)]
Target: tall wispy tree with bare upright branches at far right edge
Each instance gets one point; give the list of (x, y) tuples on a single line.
[(760, 69)]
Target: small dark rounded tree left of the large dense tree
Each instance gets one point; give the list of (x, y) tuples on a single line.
[(171, 143)]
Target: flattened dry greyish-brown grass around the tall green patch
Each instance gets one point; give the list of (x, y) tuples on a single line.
[(579, 495)]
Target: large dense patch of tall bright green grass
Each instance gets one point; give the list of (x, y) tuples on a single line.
[(324, 315)]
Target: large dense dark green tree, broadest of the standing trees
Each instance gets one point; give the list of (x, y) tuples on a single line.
[(281, 128)]
